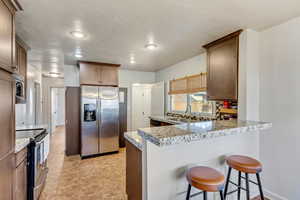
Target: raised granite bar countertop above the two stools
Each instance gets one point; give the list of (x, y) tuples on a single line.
[(188, 132)]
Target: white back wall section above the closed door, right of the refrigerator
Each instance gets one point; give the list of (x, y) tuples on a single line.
[(126, 79)]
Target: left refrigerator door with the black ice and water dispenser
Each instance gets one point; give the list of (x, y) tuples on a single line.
[(89, 125)]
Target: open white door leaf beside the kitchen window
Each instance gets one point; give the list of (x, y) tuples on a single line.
[(158, 99)]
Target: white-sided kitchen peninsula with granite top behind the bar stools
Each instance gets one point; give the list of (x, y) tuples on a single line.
[(167, 152)]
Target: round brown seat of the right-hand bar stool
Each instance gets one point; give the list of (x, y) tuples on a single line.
[(244, 164)]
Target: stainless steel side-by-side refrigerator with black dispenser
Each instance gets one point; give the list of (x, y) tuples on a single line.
[(99, 120)]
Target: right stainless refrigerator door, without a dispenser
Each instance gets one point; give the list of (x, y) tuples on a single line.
[(109, 119)]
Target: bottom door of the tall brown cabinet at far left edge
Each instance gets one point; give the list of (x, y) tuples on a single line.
[(7, 175)]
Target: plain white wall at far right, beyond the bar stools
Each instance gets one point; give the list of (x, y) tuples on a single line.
[(280, 104)]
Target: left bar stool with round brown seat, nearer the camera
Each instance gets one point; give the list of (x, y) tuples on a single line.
[(206, 179)]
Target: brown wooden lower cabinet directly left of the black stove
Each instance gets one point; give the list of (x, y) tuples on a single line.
[(21, 175)]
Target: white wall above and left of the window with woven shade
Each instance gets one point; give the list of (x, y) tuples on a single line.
[(194, 65)]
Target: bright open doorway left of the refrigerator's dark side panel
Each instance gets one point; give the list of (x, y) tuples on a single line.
[(57, 108)]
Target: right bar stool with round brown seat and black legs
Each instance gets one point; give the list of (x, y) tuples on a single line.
[(248, 166)]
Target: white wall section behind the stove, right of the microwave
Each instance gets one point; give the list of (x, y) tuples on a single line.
[(25, 113)]
